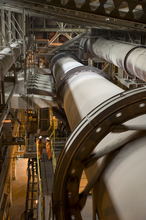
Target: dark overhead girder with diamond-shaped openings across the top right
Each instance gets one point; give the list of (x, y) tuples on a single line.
[(104, 14)]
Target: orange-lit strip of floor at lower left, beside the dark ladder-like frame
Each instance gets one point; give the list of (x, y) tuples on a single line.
[(19, 188)]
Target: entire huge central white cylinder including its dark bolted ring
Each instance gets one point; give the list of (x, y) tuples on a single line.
[(96, 109)]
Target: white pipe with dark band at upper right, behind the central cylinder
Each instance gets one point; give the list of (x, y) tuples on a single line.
[(127, 57)]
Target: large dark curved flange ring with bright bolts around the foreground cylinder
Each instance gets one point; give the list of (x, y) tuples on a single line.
[(90, 131)]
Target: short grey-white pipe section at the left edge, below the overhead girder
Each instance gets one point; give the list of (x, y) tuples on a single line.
[(8, 56)]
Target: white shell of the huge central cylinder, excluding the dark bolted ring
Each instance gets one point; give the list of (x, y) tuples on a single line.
[(120, 191)]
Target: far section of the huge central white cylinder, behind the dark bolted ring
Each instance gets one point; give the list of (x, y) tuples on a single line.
[(81, 88)]
